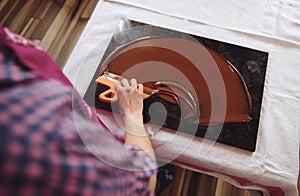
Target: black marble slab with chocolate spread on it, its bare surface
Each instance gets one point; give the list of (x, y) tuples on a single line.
[(250, 63)]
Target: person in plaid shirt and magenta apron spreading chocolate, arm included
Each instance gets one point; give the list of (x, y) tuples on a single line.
[(52, 143)]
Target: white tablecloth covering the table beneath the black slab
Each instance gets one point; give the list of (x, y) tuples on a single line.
[(268, 25)]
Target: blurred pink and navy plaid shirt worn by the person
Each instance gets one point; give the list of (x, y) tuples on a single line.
[(50, 146)]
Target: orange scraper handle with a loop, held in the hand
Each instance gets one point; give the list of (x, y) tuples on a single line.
[(110, 95)]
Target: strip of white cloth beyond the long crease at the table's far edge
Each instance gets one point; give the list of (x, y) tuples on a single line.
[(272, 18)]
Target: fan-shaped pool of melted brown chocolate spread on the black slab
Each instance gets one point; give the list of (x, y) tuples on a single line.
[(201, 71)]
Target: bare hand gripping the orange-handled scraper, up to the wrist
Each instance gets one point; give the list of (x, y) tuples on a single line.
[(130, 100)]
